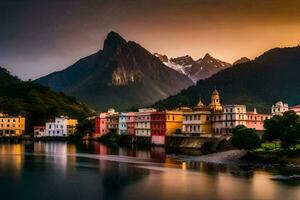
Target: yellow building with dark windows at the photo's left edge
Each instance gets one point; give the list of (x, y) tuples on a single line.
[(11, 125)]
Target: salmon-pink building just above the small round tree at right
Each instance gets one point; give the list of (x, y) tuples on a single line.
[(256, 121)]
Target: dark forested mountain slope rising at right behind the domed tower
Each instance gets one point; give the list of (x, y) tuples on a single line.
[(258, 83)]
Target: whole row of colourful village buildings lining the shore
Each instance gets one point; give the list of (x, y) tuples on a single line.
[(151, 126)]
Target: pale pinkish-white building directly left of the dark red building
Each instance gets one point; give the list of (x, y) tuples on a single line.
[(142, 121)]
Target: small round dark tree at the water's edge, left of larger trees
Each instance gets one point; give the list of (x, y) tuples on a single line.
[(244, 138)]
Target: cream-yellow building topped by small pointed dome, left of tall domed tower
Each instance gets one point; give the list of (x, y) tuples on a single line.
[(197, 121)]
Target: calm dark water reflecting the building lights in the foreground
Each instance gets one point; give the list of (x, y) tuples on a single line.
[(38, 171)]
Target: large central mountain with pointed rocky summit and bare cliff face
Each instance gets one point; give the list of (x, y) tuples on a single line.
[(122, 75)]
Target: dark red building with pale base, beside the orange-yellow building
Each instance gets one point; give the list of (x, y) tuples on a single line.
[(158, 127)]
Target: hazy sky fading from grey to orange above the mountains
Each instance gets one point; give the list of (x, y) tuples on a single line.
[(38, 37)]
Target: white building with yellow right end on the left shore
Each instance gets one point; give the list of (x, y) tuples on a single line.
[(61, 127)]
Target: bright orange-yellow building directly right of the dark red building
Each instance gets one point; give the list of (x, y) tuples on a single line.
[(173, 121)]
